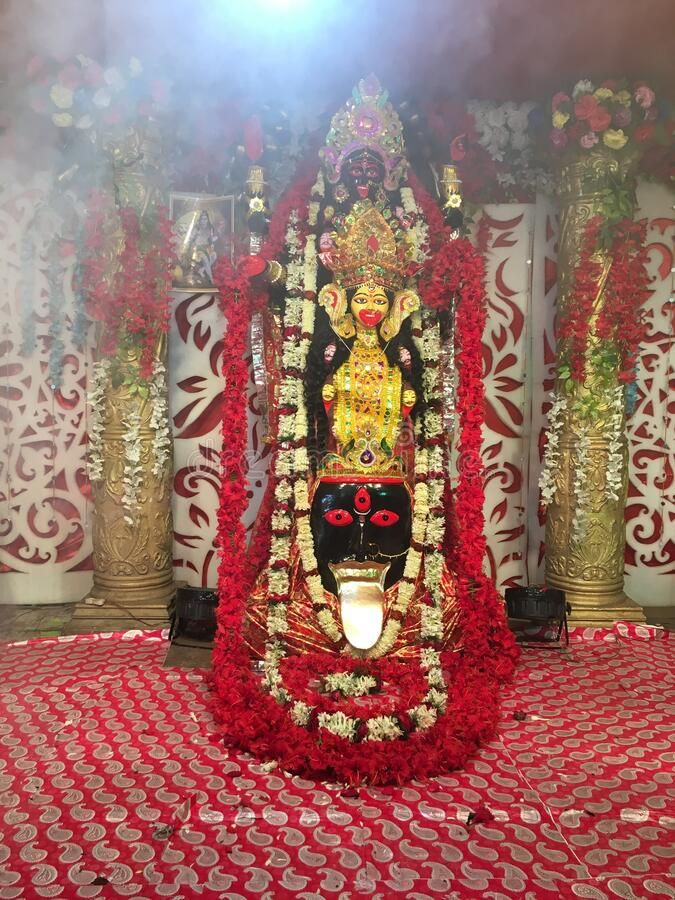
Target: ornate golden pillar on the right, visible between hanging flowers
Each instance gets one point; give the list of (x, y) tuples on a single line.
[(590, 570)]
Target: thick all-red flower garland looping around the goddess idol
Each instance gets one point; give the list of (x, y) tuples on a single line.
[(248, 717)]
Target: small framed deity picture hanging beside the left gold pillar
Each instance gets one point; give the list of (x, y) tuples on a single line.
[(203, 227)]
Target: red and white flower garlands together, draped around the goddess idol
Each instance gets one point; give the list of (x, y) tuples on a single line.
[(309, 726)]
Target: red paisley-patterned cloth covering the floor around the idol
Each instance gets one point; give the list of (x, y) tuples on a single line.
[(110, 786)]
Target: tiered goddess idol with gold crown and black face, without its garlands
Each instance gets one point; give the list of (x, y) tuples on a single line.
[(363, 393)]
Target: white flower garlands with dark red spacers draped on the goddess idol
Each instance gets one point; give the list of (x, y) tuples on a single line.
[(291, 469)]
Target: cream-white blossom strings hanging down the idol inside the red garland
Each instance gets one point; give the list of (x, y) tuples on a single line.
[(295, 467)]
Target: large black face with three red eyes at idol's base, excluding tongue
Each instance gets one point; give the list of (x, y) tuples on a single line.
[(361, 522)]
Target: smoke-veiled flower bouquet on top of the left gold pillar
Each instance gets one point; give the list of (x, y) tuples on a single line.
[(82, 95)]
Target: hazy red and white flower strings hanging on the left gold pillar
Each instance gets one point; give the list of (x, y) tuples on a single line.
[(128, 298)]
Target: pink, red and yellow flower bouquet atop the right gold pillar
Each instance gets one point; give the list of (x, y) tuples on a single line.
[(614, 115)]
